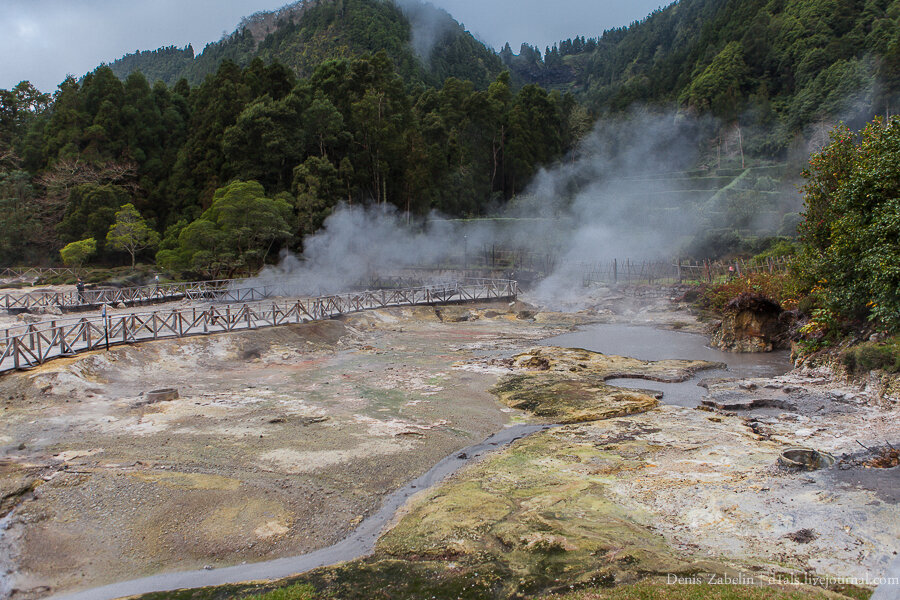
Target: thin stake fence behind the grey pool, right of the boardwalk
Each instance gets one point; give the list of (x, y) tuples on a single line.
[(678, 271)]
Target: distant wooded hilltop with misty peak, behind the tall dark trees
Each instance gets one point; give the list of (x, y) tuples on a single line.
[(303, 35)]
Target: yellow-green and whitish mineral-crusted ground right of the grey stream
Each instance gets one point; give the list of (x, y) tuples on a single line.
[(649, 493)]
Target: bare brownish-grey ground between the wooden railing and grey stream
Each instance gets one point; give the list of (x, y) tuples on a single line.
[(281, 441)]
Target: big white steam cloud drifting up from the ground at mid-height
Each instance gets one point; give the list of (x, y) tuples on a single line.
[(613, 198)]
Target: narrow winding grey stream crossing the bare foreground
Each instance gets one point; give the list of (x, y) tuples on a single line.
[(358, 544)]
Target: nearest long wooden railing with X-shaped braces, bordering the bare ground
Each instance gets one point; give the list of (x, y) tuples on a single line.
[(27, 346)]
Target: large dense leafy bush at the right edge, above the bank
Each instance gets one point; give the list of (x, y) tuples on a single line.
[(851, 230)]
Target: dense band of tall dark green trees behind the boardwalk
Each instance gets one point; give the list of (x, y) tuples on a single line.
[(352, 131)]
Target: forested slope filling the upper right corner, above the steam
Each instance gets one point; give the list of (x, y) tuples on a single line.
[(773, 65)]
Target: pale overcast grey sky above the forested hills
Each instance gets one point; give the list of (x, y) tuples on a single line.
[(44, 40)]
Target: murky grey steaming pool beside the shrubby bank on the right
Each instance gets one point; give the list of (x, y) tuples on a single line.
[(648, 343)]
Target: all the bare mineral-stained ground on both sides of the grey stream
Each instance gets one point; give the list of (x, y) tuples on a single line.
[(282, 440)]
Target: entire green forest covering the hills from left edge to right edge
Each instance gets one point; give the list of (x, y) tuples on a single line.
[(229, 155)]
